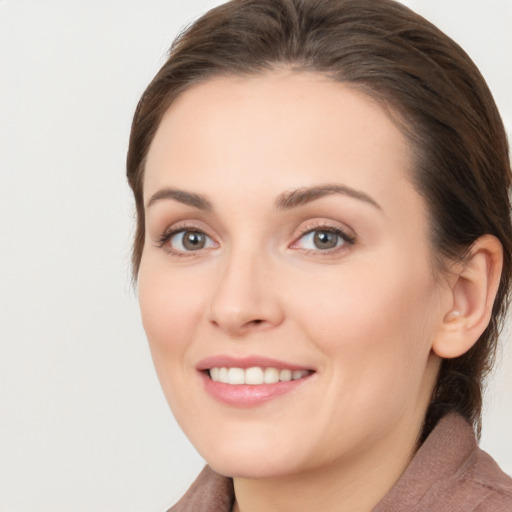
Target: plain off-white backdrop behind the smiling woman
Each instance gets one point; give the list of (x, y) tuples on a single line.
[(84, 426)]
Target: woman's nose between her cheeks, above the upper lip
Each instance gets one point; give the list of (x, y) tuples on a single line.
[(246, 298)]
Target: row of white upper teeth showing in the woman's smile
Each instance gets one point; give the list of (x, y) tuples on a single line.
[(255, 375)]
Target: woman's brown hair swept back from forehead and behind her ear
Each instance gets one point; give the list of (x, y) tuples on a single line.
[(427, 81)]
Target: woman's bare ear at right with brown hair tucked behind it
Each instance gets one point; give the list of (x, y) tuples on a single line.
[(473, 286)]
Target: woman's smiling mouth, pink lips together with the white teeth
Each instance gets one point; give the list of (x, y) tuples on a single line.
[(250, 381)]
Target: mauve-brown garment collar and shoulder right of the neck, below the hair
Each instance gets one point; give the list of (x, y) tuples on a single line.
[(450, 473)]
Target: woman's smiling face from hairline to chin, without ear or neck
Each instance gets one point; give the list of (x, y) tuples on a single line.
[(286, 241)]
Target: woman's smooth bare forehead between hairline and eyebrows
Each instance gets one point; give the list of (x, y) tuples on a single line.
[(281, 128)]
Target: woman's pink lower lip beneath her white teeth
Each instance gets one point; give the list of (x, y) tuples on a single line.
[(246, 395)]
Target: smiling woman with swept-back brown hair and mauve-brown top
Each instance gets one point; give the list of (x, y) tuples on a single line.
[(323, 256)]
